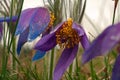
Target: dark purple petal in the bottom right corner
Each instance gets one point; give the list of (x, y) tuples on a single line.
[(116, 69)]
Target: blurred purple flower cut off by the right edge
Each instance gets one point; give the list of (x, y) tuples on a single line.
[(107, 40)]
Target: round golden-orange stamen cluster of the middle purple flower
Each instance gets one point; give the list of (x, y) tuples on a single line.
[(66, 36)]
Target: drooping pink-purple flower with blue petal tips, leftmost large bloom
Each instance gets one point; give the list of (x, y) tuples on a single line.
[(32, 23)]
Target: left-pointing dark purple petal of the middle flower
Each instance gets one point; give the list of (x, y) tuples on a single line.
[(46, 43)]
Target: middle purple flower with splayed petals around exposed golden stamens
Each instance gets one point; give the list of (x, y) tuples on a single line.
[(67, 34)]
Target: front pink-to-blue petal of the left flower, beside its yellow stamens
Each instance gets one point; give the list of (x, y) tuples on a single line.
[(39, 22)]
